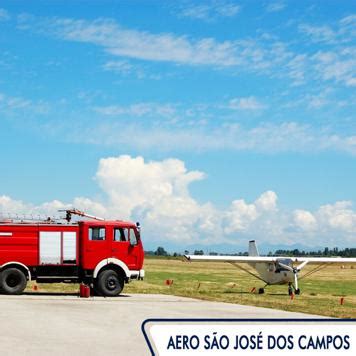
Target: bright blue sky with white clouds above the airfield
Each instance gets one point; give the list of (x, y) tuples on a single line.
[(253, 102)]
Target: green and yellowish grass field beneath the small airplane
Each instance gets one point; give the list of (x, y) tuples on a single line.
[(320, 294)]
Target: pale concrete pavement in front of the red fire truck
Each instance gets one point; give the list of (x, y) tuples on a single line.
[(68, 325)]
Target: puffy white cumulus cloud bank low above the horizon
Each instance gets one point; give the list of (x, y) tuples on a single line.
[(156, 193)]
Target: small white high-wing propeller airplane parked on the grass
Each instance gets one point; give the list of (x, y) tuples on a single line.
[(275, 270)]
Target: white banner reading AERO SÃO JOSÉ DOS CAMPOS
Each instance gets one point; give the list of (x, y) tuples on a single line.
[(251, 337)]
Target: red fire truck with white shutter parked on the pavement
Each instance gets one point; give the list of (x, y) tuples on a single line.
[(100, 253)]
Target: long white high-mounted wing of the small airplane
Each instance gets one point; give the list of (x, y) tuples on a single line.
[(254, 259)]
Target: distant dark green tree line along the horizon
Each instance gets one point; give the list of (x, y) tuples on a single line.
[(347, 252)]
